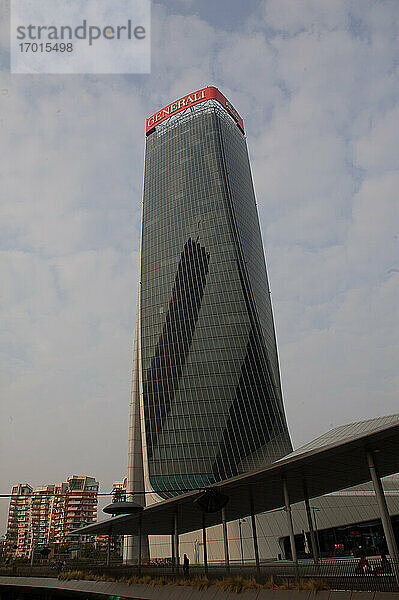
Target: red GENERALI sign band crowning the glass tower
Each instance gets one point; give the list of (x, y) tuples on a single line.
[(208, 93)]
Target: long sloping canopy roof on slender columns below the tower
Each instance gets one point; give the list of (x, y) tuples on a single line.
[(334, 461)]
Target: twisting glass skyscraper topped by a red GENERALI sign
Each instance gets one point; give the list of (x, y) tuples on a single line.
[(206, 394)]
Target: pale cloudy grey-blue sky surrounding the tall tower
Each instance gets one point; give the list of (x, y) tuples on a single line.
[(317, 85)]
